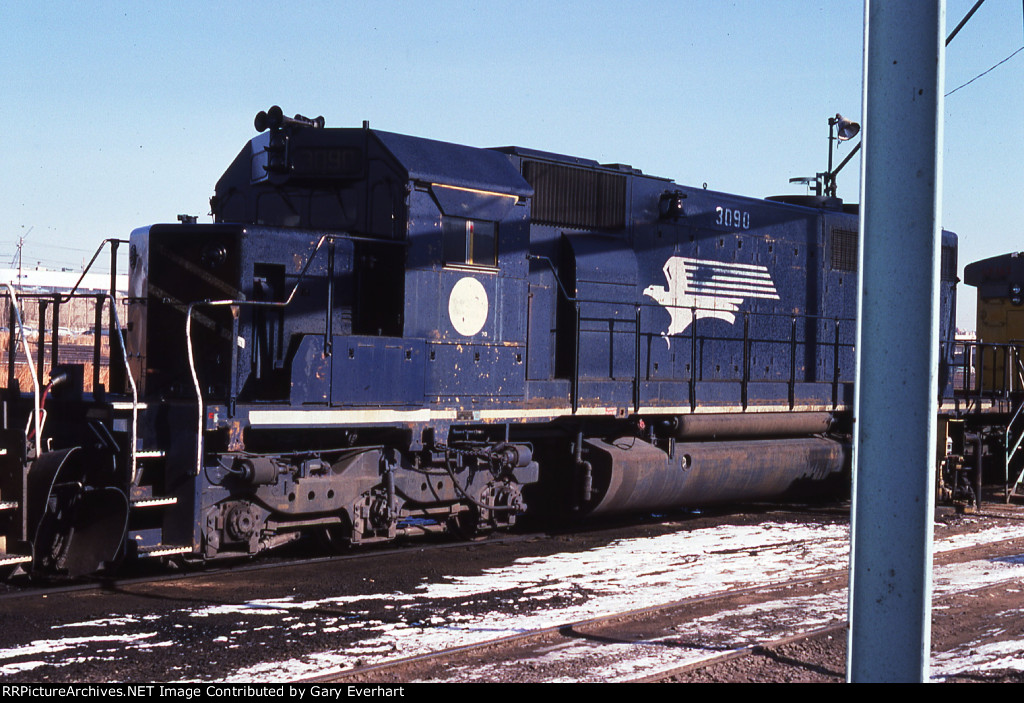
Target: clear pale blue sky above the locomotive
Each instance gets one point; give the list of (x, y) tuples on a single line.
[(121, 115)]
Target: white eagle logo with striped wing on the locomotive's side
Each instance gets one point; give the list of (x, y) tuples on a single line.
[(708, 289)]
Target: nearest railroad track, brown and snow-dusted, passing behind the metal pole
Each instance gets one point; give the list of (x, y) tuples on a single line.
[(527, 656)]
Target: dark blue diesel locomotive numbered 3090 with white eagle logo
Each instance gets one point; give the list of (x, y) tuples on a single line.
[(382, 335)]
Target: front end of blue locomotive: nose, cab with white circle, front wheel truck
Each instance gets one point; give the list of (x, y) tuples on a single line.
[(354, 282)]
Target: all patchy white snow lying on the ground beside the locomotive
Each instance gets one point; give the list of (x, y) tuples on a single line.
[(540, 593)]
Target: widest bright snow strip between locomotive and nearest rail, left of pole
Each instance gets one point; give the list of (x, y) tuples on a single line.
[(625, 576)]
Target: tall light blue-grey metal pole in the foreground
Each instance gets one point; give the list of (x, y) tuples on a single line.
[(898, 343)]
